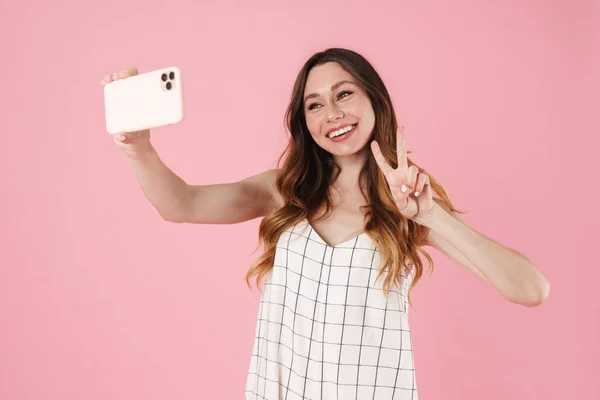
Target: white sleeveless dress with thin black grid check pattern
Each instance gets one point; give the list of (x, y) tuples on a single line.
[(325, 330)]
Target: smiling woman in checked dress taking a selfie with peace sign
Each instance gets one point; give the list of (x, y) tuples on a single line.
[(345, 218)]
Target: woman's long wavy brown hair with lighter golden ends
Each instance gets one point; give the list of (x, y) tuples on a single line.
[(306, 171)]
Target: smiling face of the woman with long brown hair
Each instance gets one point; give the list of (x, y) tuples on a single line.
[(338, 111)]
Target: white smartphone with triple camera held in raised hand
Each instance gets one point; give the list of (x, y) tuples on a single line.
[(149, 100)]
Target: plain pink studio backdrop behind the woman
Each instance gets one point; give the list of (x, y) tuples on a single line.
[(101, 299)]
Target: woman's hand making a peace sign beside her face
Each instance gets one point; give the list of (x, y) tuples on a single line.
[(410, 188)]
